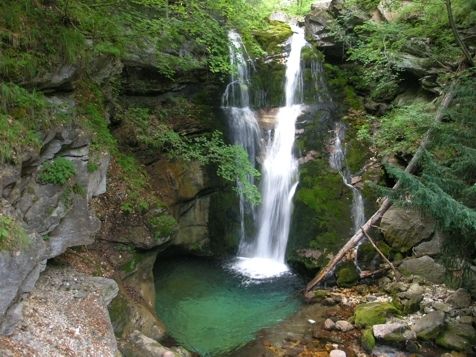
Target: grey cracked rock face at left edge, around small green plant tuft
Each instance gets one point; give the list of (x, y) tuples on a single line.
[(55, 216)]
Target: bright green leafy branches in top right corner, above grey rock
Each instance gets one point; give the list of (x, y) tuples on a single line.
[(420, 27)]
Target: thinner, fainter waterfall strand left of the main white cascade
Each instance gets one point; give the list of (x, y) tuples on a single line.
[(242, 120)]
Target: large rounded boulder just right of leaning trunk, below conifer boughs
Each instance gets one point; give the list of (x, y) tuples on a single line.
[(403, 228)]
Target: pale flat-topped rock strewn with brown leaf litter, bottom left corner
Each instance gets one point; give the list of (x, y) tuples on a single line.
[(66, 314)]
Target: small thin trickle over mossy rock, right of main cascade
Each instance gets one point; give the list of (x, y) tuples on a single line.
[(337, 162)]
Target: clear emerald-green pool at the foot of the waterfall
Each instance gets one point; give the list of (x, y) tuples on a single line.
[(212, 311)]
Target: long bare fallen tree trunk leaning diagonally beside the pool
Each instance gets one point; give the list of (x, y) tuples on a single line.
[(357, 237)]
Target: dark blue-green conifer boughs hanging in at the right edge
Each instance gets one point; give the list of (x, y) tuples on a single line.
[(444, 186)]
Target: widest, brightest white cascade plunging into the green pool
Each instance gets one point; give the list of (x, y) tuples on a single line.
[(265, 256)]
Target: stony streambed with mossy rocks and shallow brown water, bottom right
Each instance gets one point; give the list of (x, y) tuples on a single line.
[(404, 317)]
